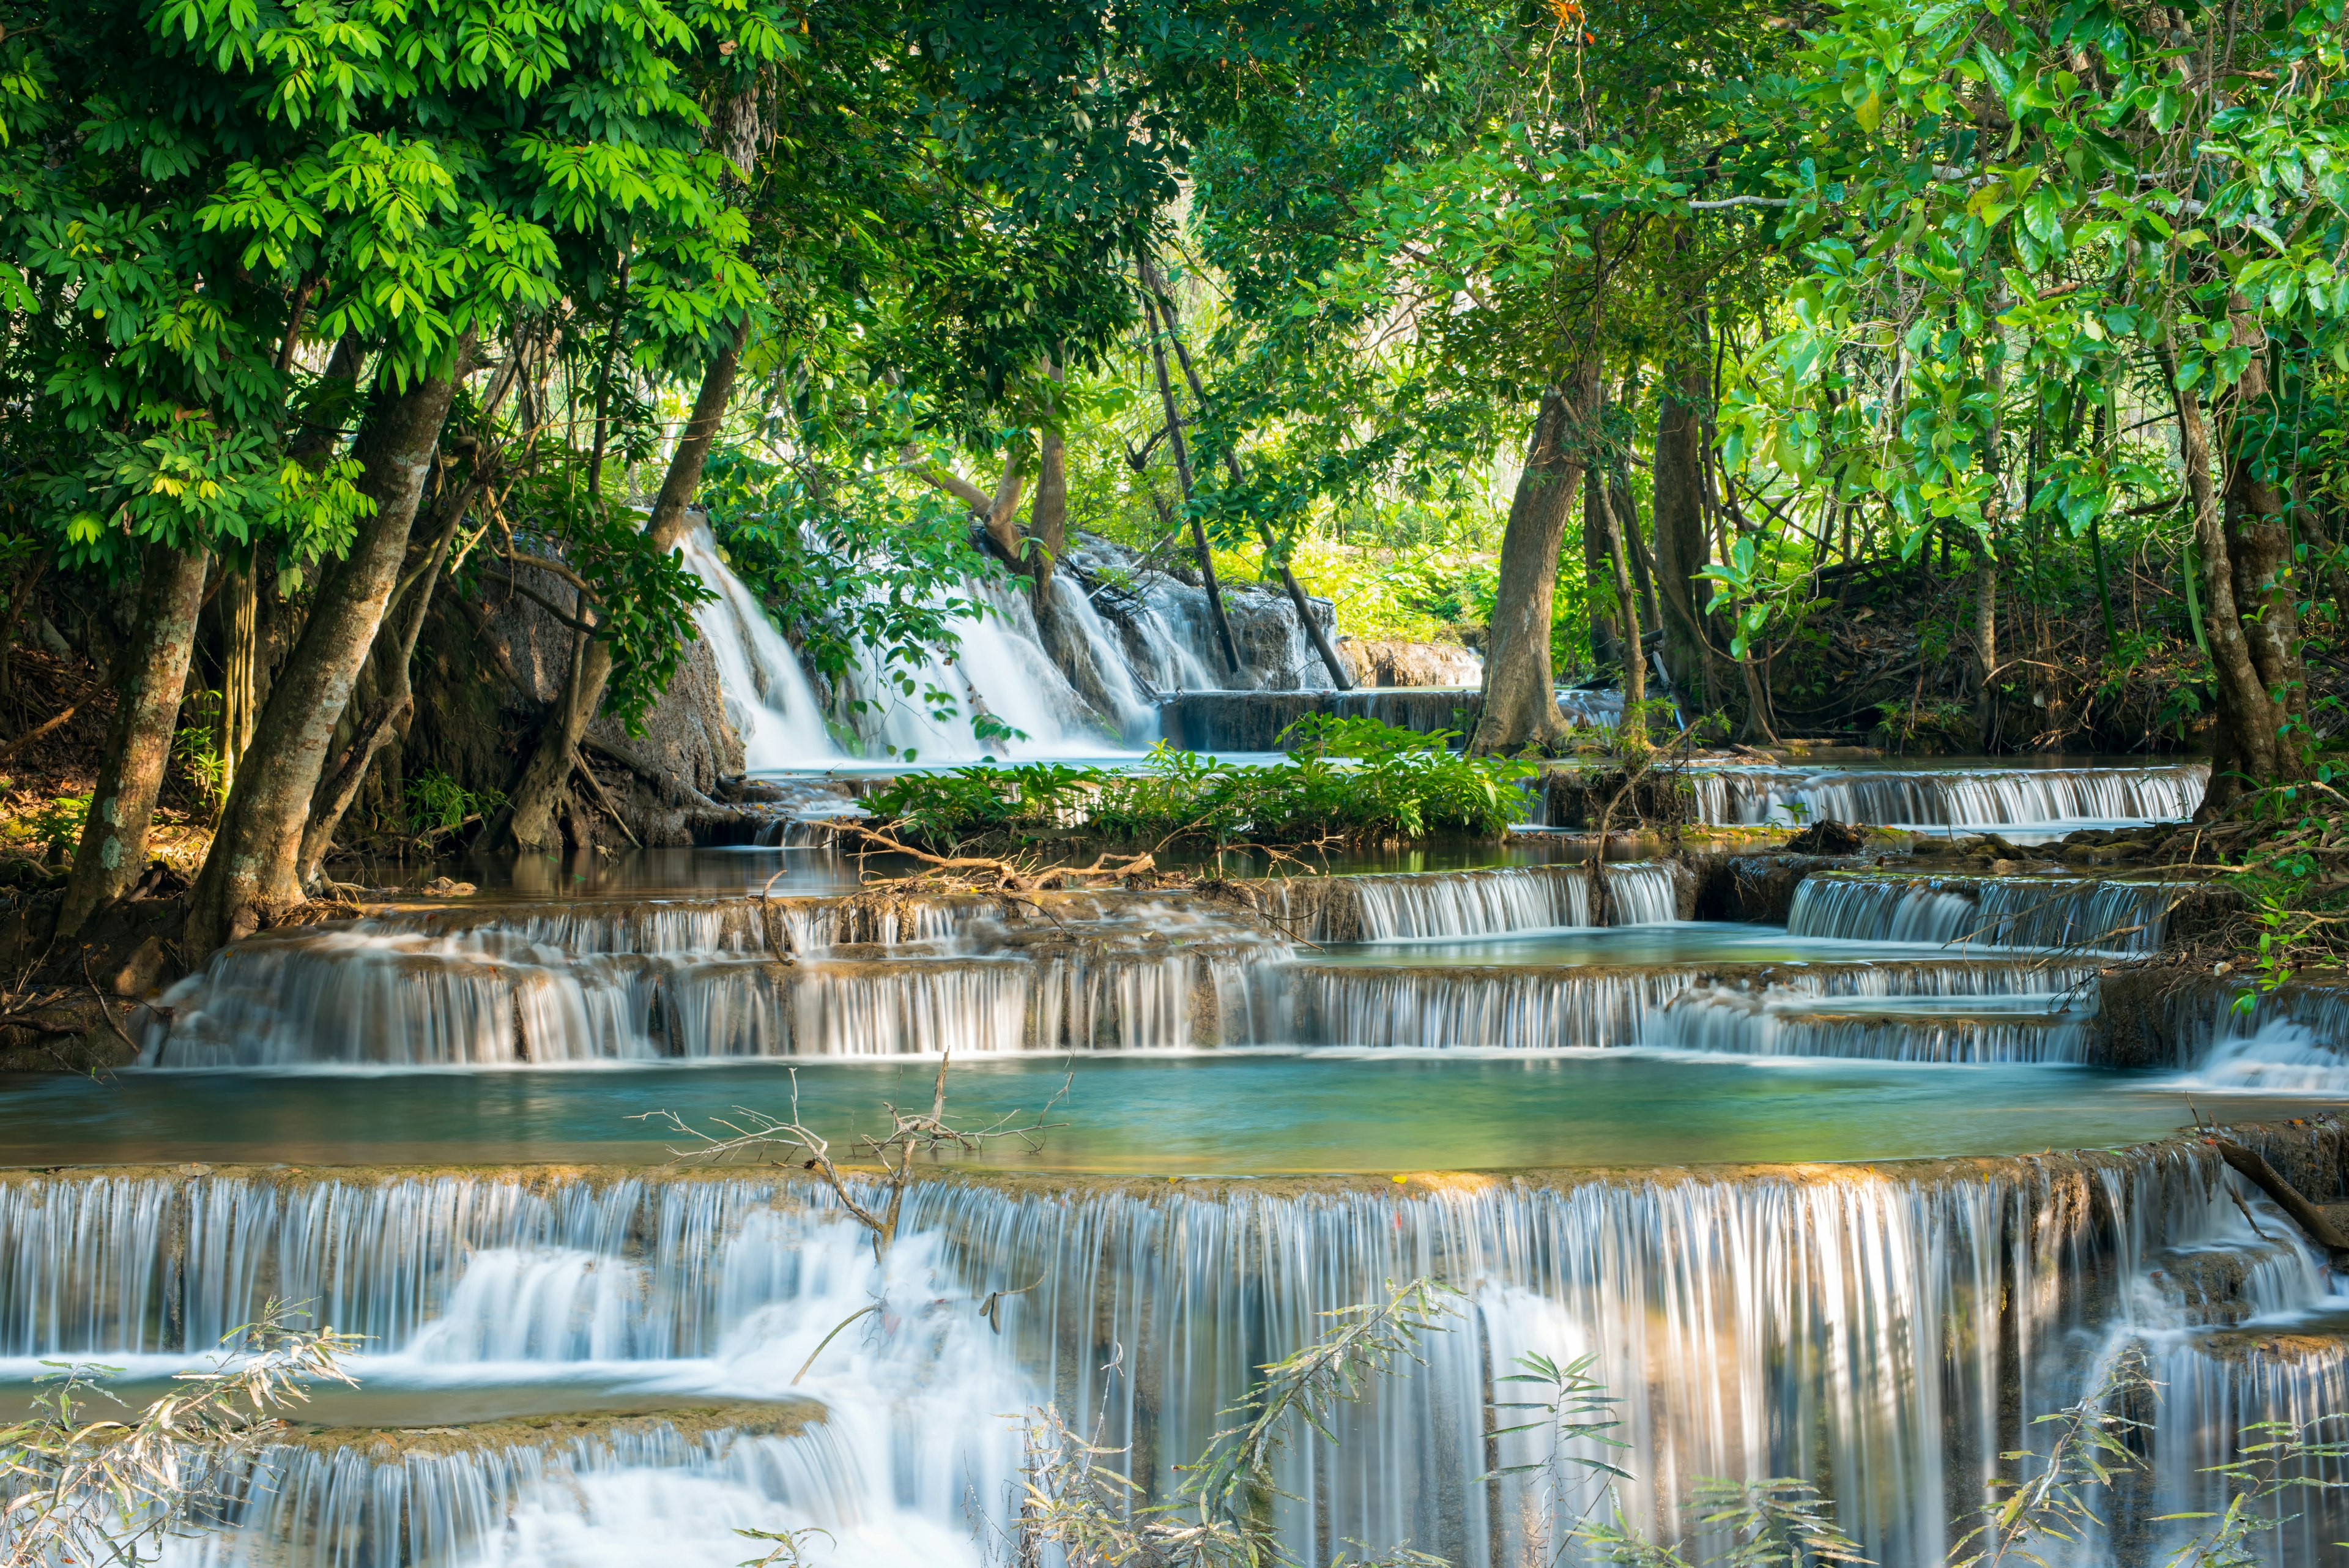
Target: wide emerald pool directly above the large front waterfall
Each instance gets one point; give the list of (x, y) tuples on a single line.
[(1178, 1115)]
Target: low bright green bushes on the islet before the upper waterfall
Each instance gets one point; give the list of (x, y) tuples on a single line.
[(1347, 782)]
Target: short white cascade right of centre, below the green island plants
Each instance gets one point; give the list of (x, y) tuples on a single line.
[(1413, 906)]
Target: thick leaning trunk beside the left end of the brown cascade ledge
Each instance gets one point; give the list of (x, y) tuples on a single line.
[(255, 855)]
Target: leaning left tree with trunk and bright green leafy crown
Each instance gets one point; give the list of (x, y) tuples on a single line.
[(445, 180)]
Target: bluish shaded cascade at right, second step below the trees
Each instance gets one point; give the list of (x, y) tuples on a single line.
[(1986, 911)]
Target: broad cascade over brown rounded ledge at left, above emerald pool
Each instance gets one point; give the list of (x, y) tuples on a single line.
[(715, 979)]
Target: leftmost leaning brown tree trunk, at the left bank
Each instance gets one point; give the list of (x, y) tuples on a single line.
[(149, 688)]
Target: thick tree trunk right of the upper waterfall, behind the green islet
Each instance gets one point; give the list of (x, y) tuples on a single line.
[(1521, 695)]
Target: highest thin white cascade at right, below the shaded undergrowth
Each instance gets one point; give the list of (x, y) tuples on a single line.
[(1951, 798)]
